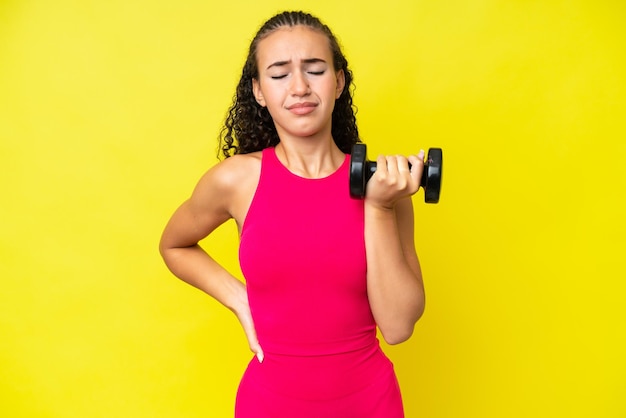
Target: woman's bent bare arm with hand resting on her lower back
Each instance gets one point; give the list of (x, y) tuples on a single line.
[(213, 201)]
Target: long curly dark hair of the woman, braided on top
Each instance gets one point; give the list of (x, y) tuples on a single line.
[(249, 127)]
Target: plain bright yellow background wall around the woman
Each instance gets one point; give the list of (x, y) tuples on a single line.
[(109, 113)]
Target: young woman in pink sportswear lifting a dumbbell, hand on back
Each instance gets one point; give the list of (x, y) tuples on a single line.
[(322, 270)]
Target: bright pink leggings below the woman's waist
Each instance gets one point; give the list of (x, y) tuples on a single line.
[(358, 384)]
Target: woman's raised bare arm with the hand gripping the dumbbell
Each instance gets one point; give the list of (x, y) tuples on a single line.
[(394, 277)]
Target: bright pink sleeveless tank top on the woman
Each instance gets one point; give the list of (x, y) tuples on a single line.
[(302, 253)]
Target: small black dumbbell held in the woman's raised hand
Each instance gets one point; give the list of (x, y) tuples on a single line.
[(361, 170)]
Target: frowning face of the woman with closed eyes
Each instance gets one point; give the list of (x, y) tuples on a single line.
[(297, 82)]
